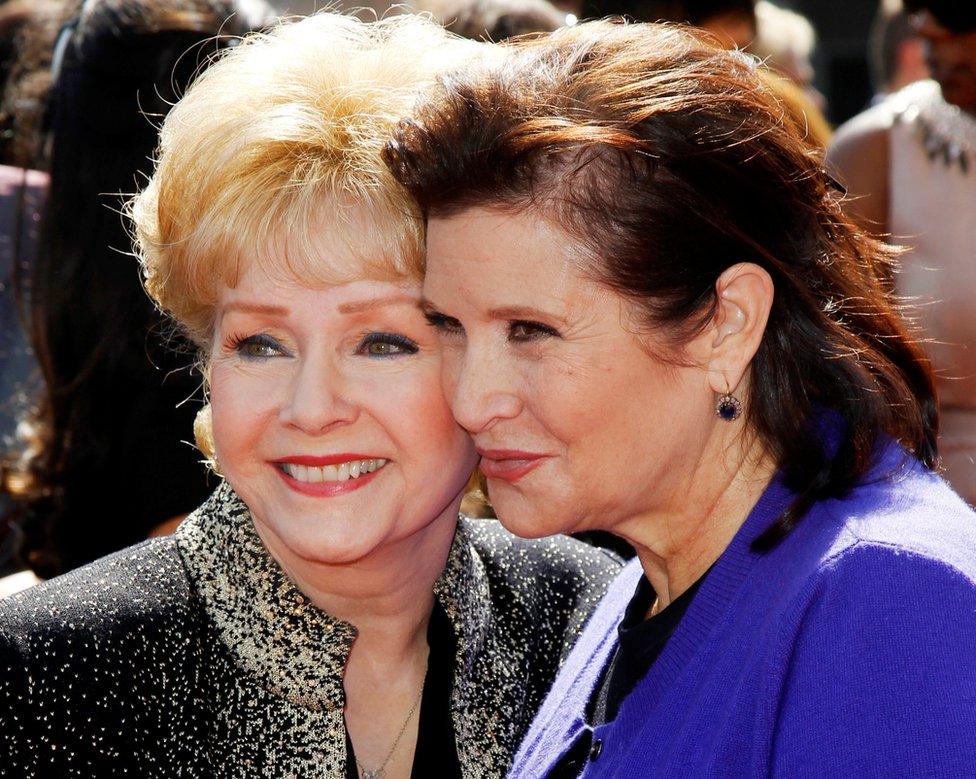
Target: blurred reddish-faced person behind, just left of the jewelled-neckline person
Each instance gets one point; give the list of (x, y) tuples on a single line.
[(896, 54)]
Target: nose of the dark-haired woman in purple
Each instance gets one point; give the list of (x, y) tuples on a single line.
[(482, 388)]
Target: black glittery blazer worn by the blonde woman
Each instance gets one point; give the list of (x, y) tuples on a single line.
[(196, 656)]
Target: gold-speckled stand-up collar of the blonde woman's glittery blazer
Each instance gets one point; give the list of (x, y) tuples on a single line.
[(274, 632)]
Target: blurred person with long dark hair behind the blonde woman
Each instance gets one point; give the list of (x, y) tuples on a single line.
[(103, 459)]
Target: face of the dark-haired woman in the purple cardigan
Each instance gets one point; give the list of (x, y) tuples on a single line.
[(578, 425)]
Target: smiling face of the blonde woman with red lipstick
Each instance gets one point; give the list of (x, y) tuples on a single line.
[(328, 415)]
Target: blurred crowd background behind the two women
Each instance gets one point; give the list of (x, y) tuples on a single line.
[(98, 394)]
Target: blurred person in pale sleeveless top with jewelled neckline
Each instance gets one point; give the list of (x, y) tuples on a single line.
[(910, 165)]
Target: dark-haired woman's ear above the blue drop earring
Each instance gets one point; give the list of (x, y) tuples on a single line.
[(745, 296)]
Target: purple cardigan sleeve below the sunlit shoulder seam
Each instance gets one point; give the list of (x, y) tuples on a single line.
[(884, 656)]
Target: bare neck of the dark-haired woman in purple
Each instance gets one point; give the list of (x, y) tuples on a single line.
[(678, 543)]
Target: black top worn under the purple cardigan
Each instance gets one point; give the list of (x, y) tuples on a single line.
[(640, 642)]
